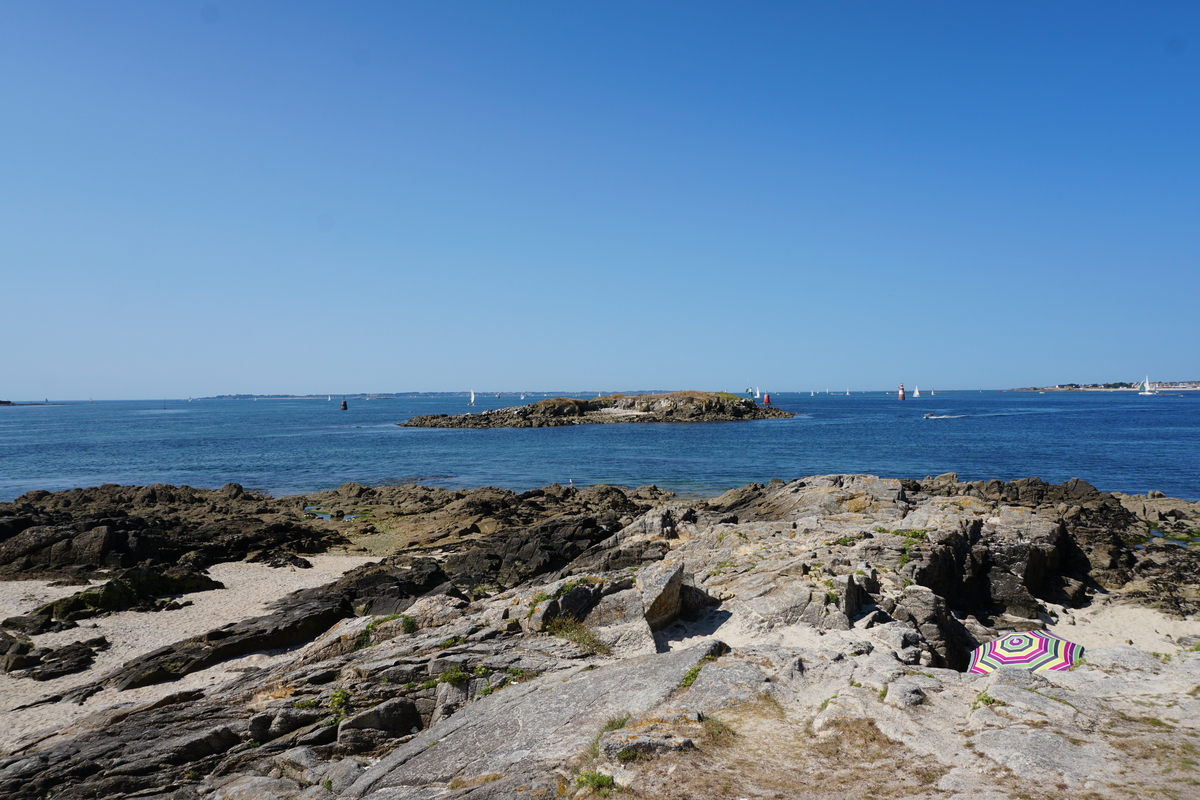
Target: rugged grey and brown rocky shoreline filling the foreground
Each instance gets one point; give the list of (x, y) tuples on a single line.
[(775, 640)]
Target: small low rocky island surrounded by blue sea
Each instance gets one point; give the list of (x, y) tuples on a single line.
[(673, 407)]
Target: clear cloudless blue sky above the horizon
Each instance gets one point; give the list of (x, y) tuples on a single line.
[(293, 197)]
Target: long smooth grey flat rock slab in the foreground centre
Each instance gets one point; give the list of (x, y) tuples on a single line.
[(542, 723)]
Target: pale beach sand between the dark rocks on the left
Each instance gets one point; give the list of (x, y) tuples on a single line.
[(250, 590)]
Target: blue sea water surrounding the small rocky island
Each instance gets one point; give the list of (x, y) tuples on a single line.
[(1115, 441)]
